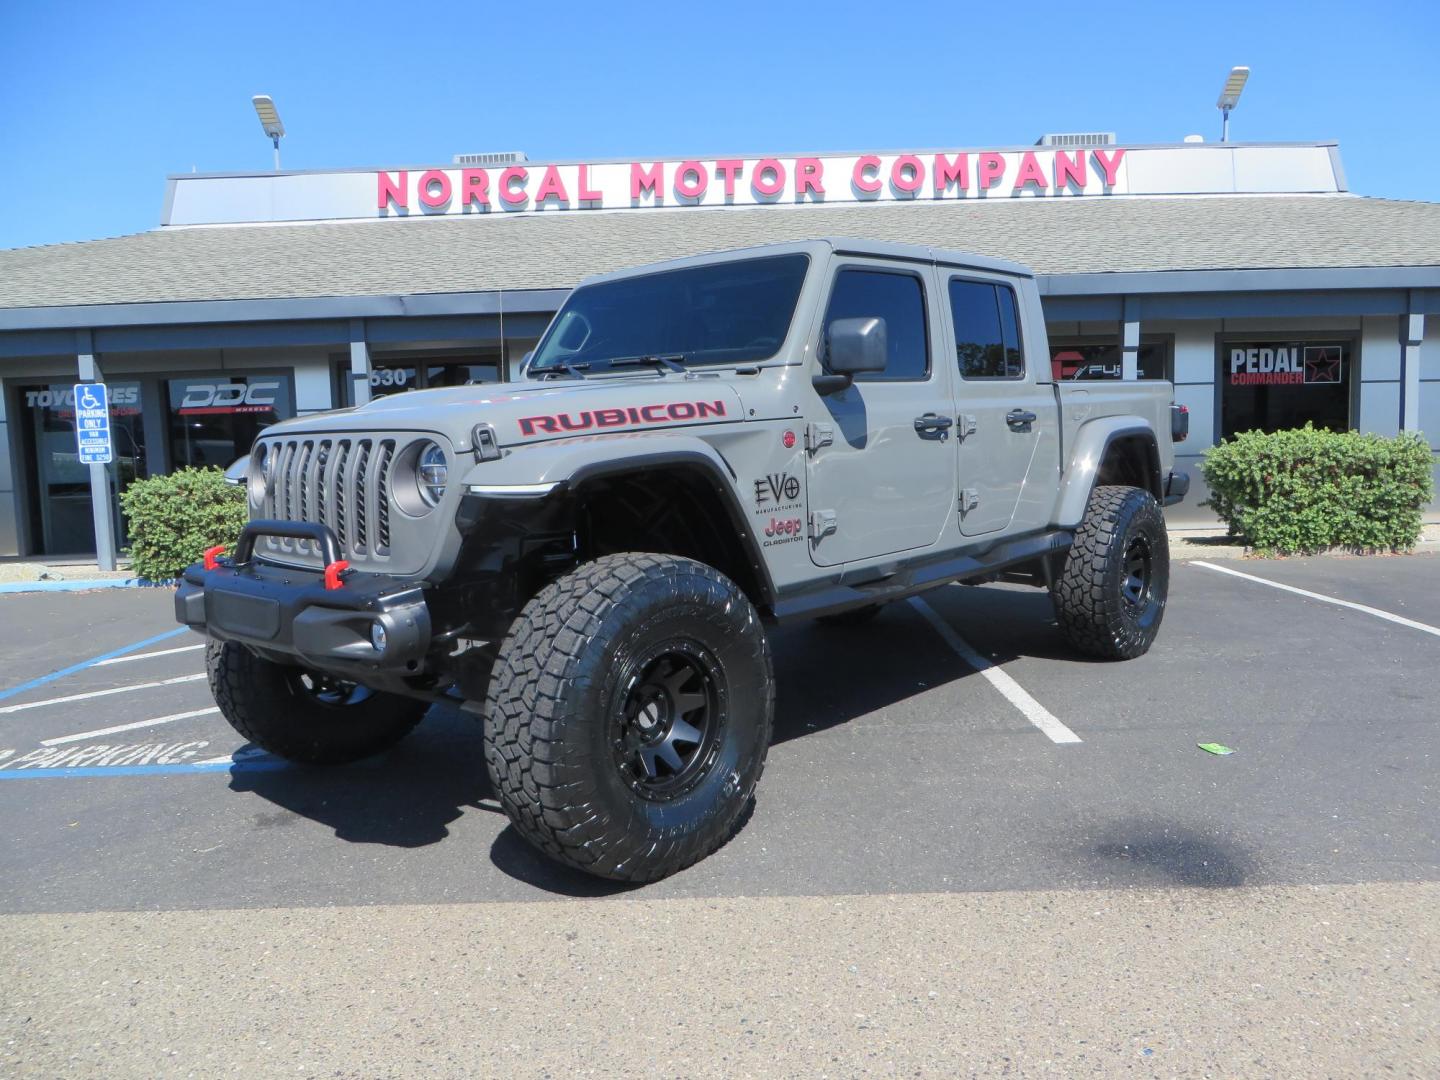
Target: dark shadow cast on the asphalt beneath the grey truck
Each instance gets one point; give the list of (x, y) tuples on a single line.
[(826, 678)]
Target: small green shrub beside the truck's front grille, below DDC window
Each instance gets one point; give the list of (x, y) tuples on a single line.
[(174, 519)]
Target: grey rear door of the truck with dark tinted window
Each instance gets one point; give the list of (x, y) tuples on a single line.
[(1007, 424)]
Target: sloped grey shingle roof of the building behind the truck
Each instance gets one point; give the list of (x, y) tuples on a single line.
[(541, 251)]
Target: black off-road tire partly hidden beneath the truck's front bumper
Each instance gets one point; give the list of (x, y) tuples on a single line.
[(294, 716)]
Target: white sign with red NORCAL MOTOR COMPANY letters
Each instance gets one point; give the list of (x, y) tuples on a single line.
[(726, 182)]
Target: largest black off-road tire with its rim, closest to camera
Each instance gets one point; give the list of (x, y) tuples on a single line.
[(618, 647)]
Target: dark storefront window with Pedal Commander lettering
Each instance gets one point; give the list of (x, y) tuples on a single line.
[(1282, 385)]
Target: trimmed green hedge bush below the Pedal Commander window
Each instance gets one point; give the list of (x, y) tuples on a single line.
[(1308, 490)]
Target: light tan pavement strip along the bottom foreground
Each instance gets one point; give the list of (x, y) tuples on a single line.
[(1277, 981)]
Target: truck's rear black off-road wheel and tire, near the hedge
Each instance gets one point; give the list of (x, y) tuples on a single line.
[(1111, 597)]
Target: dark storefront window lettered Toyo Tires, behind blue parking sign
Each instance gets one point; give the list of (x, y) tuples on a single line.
[(61, 485)]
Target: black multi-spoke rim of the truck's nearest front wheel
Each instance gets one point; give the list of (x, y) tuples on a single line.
[(666, 728)]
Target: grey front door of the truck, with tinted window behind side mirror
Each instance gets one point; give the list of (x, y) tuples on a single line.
[(885, 482)]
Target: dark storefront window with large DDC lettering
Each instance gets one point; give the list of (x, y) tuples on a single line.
[(214, 420)]
